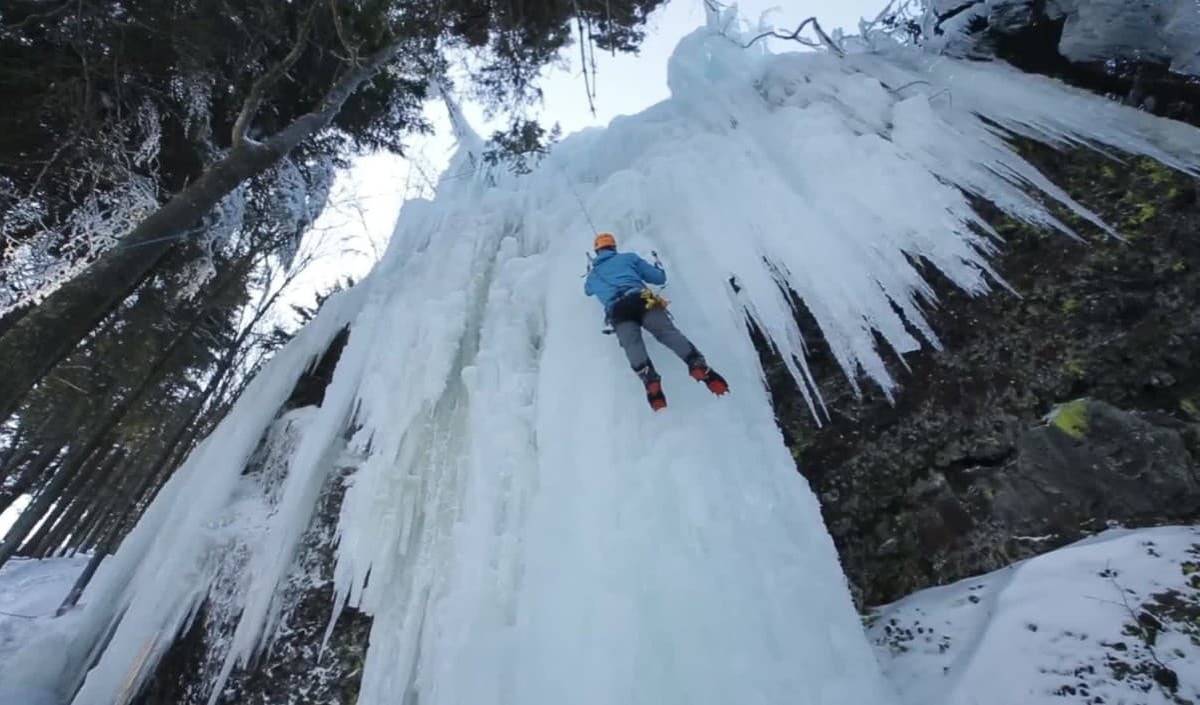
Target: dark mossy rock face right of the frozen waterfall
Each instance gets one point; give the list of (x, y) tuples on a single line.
[(965, 474)]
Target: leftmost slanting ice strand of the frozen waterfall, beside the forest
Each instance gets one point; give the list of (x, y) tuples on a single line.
[(153, 586)]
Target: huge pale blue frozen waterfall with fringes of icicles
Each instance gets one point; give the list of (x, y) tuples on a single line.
[(532, 533)]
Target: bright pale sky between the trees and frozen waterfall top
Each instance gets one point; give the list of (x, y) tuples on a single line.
[(367, 201)]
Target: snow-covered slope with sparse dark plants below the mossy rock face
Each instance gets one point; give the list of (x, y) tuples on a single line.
[(1112, 619)]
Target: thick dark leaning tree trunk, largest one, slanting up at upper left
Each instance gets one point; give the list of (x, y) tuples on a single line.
[(46, 335)]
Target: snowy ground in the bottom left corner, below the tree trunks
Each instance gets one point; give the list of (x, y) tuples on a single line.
[(31, 593)]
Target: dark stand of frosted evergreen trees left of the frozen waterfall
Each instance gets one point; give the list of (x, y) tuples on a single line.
[(116, 109)]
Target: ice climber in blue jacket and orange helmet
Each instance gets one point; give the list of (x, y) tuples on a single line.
[(620, 281)]
